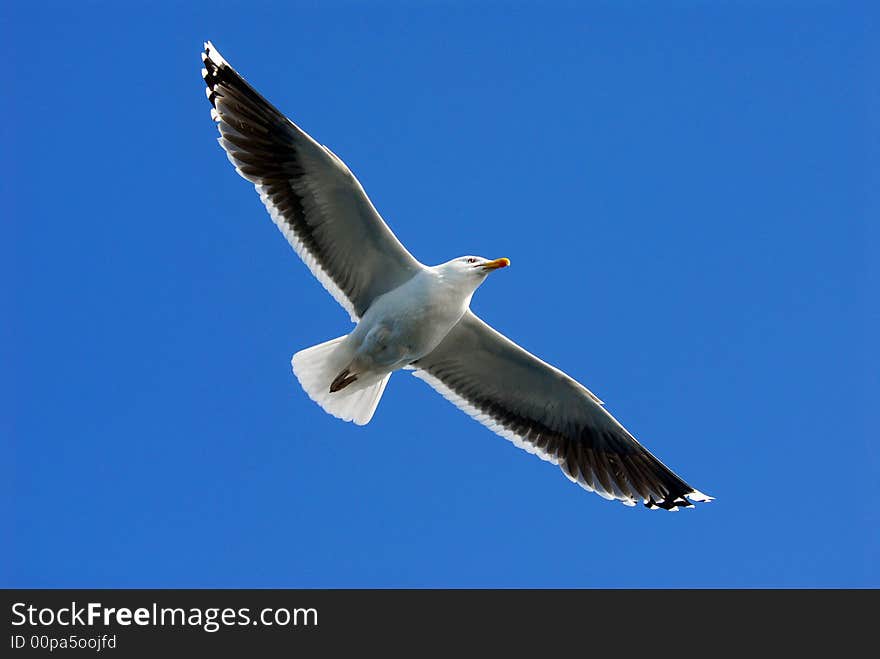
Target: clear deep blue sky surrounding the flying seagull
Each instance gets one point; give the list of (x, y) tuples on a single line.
[(689, 197)]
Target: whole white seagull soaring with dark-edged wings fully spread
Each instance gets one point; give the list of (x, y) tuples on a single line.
[(417, 317)]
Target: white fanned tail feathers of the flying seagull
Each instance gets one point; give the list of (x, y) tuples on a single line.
[(318, 368)]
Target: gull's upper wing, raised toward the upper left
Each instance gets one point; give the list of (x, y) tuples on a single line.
[(312, 196)]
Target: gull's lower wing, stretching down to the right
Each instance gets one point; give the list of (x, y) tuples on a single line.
[(544, 411)]
